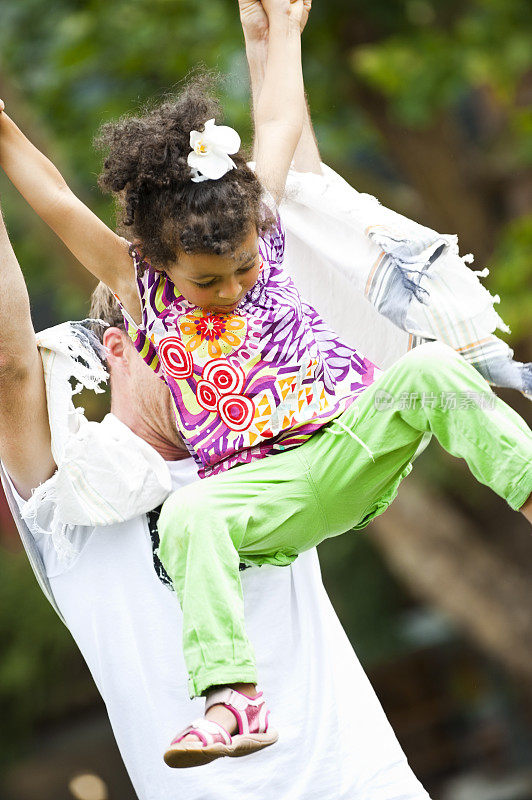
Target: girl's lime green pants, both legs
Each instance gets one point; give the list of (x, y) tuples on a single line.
[(270, 510)]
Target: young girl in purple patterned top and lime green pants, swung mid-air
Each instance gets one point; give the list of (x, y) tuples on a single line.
[(253, 371)]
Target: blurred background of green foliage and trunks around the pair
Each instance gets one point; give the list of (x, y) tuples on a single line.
[(425, 104)]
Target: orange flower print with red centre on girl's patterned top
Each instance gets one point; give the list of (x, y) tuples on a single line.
[(213, 335)]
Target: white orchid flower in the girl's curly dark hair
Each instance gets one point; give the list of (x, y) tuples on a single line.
[(210, 159)]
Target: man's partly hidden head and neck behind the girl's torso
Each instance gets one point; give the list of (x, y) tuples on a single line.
[(139, 398)]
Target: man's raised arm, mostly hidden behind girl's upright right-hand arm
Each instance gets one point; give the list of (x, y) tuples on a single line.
[(255, 27)]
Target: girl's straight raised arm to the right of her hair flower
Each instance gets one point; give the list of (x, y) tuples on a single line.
[(280, 110)]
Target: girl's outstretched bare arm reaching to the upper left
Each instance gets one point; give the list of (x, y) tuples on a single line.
[(96, 246)]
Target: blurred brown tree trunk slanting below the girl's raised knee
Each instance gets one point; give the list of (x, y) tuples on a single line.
[(443, 559)]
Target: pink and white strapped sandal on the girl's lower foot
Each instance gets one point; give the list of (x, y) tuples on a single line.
[(214, 741)]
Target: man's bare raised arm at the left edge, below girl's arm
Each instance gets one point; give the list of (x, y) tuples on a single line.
[(25, 449)]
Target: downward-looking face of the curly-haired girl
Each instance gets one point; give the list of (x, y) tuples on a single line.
[(215, 283)]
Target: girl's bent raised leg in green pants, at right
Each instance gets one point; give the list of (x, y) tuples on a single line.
[(430, 389)]
